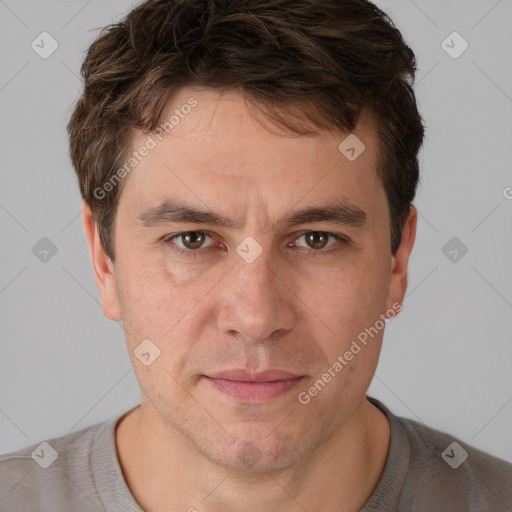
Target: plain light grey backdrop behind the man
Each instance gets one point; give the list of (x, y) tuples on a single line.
[(446, 357)]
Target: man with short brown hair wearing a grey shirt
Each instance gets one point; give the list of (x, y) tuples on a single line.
[(248, 171)]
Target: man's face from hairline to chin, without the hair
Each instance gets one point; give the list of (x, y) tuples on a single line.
[(261, 294)]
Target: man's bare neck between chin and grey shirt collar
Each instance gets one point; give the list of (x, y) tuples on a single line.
[(163, 470)]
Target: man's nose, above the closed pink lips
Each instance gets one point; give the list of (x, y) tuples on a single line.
[(257, 302)]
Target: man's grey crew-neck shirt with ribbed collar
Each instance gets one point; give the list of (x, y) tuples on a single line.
[(426, 471)]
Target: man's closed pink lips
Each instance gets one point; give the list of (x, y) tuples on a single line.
[(250, 386)]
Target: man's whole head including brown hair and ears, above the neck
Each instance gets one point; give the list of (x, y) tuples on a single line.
[(240, 110)]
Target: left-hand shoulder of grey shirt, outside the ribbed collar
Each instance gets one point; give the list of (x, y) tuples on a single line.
[(52, 473)]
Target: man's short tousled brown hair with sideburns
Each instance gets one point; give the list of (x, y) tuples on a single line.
[(330, 59)]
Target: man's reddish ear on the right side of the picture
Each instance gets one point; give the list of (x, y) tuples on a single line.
[(398, 281)]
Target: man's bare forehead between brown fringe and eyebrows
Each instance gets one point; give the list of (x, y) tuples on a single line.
[(214, 149)]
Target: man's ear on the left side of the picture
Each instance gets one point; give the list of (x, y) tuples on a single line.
[(104, 271)]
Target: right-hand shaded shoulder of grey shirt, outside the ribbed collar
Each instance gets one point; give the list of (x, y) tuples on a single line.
[(444, 469)]
